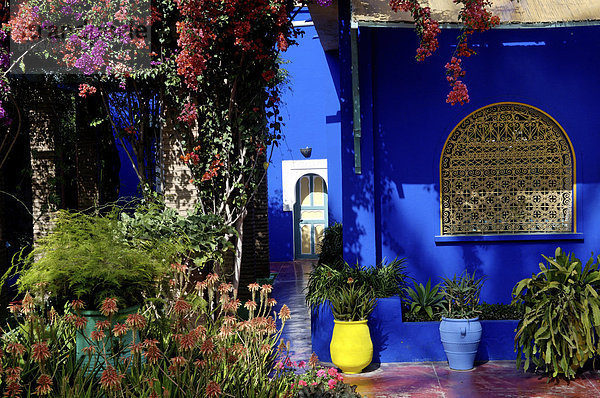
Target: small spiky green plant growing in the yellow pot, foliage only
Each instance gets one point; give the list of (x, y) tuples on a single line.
[(352, 302)]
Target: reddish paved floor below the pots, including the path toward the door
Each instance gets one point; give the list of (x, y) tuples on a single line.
[(427, 380)]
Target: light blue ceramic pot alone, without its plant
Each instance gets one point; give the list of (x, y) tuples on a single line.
[(460, 338)]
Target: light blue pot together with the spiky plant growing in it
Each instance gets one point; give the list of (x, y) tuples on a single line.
[(460, 329)]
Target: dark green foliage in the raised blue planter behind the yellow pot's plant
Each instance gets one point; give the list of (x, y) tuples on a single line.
[(384, 280)]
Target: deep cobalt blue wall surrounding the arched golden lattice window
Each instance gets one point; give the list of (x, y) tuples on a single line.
[(392, 209)]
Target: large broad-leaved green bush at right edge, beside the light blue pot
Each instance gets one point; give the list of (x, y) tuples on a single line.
[(560, 326)]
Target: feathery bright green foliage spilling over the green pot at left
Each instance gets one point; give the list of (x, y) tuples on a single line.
[(86, 260)]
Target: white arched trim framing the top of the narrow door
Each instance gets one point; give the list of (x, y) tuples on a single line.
[(292, 170)]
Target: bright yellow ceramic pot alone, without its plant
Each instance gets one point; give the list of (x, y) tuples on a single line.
[(351, 347)]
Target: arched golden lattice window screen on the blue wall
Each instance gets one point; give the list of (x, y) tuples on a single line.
[(507, 169)]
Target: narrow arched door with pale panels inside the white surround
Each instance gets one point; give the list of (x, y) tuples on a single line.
[(310, 215)]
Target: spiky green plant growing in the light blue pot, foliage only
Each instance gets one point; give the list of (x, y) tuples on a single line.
[(461, 296)]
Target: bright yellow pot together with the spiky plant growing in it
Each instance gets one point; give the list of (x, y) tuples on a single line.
[(351, 347)]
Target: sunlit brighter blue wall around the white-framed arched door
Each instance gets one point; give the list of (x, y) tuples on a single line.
[(311, 115)]
